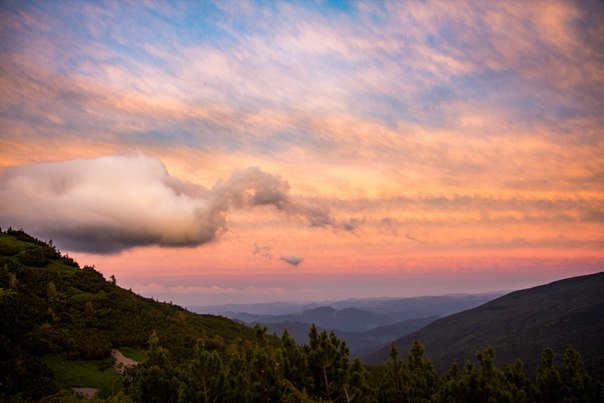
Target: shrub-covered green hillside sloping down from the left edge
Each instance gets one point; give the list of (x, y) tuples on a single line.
[(49, 305)]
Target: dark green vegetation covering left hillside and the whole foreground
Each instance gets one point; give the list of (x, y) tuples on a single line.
[(55, 314)]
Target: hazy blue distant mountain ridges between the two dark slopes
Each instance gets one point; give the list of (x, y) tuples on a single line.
[(365, 324)]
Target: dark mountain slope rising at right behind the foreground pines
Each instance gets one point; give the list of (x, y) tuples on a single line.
[(519, 325)]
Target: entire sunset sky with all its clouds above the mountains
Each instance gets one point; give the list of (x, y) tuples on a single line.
[(233, 152)]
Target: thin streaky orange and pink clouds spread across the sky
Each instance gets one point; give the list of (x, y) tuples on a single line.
[(461, 134)]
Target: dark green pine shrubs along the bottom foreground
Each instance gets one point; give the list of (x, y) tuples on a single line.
[(321, 371)]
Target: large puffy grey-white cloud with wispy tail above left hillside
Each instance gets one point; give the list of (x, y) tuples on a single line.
[(113, 203)]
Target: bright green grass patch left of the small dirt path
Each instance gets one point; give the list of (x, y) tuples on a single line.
[(94, 374)]
